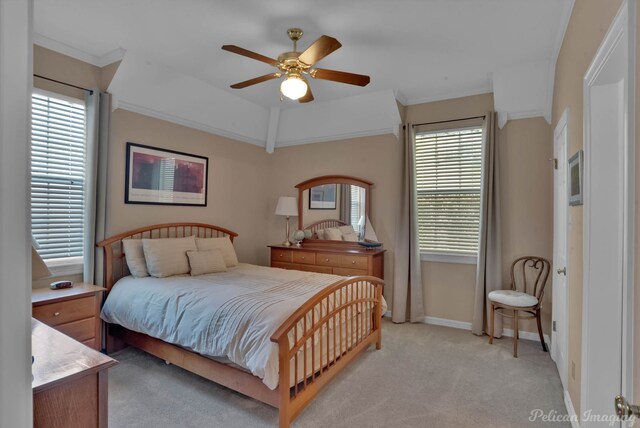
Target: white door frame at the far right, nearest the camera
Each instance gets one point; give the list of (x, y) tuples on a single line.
[(623, 25)]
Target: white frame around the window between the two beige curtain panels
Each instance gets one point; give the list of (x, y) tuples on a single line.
[(443, 256)]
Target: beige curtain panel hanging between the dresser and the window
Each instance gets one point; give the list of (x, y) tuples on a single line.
[(408, 304)]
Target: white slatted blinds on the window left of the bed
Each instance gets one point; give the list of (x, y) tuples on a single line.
[(58, 151)]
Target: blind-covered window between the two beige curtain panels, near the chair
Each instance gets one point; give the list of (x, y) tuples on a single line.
[(448, 182)]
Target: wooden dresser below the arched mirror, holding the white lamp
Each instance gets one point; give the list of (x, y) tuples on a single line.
[(338, 260)]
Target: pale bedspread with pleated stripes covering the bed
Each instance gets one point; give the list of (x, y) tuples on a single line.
[(231, 314)]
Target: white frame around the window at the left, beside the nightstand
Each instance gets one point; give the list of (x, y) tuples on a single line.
[(60, 266)]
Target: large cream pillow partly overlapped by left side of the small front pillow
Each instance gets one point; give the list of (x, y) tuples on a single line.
[(168, 256)]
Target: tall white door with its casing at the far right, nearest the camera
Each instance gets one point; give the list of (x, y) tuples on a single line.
[(608, 227)]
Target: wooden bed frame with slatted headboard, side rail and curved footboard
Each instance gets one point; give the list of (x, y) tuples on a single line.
[(349, 296)]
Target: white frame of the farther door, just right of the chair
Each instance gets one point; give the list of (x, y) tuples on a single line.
[(562, 314)]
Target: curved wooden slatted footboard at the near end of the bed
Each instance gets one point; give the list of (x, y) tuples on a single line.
[(350, 312)]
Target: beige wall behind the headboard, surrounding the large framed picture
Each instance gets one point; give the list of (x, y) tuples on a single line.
[(237, 185)]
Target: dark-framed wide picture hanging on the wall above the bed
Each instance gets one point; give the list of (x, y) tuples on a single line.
[(157, 176)]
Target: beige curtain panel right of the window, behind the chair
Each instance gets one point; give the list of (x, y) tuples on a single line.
[(489, 268)]
